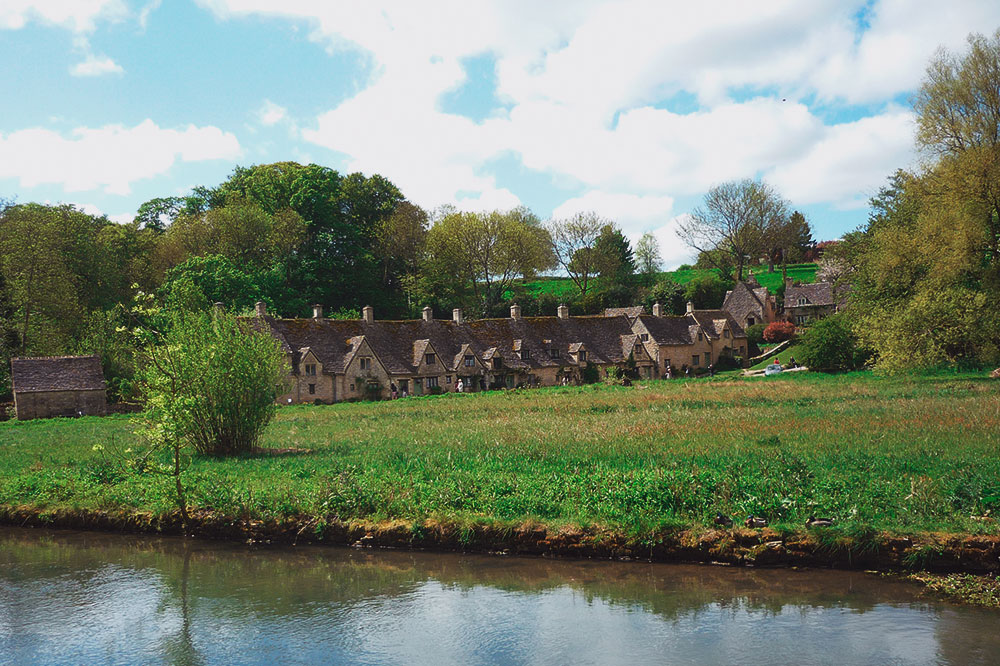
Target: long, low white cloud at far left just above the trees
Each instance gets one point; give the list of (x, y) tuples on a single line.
[(110, 157)]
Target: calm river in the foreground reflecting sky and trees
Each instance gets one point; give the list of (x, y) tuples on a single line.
[(91, 598)]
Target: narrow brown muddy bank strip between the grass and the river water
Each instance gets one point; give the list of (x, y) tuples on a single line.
[(945, 553)]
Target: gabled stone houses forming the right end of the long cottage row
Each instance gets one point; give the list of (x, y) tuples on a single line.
[(695, 339)]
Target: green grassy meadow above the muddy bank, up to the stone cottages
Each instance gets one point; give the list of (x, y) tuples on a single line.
[(906, 454)]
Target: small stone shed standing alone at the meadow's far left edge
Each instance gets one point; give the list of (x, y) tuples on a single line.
[(58, 386)]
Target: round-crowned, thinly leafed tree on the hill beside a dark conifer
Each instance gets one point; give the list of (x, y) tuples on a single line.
[(738, 218)]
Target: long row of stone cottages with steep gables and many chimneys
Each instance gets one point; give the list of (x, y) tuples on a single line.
[(333, 360)]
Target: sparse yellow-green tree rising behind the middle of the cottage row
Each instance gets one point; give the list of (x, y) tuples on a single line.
[(482, 253)]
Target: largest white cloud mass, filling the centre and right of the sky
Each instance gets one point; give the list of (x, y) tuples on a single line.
[(589, 85)]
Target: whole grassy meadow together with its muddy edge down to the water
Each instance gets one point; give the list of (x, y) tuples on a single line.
[(907, 467)]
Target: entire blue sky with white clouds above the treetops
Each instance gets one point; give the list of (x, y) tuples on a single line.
[(633, 110)]
